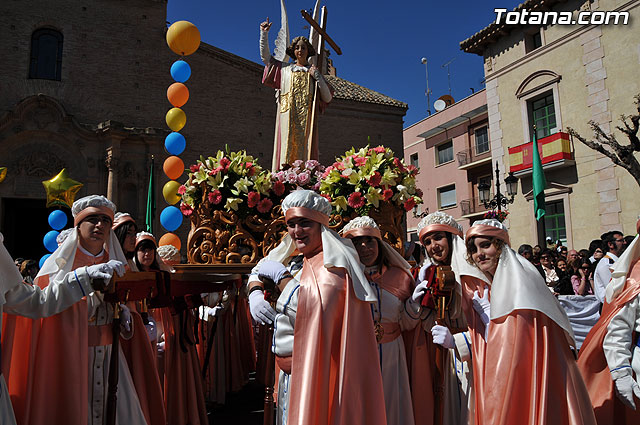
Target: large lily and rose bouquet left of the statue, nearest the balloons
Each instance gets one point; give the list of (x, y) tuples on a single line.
[(230, 181)]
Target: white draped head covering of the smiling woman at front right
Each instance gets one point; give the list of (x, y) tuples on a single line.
[(517, 284)]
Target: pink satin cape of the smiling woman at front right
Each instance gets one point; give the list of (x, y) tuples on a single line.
[(525, 373)]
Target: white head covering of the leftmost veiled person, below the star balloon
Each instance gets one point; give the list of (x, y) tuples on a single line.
[(61, 261)]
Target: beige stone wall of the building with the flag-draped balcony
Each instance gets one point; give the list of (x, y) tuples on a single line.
[(598, 68)]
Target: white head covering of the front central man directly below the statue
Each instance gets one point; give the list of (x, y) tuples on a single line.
[(337, 251)]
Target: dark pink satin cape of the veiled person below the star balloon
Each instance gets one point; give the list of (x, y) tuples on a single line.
[(53, 355)]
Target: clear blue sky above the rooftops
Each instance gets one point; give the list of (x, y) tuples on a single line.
[(382, 41)]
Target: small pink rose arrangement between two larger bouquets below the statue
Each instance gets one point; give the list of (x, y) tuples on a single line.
[(300, 174)]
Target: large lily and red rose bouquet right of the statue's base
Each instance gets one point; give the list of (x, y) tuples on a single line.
[(361, 179)]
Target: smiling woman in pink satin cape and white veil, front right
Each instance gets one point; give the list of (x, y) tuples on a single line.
[(524, 368)]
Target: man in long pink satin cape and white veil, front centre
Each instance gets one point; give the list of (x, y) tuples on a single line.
[(335, 372)]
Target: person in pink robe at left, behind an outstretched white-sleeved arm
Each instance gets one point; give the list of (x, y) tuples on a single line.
[(74, 346)]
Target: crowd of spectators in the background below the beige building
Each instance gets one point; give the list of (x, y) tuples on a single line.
[(571, 272)]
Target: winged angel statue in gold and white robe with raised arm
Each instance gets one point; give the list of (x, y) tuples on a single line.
[(297, 84)]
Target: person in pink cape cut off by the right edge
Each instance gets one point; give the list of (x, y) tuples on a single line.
[(610, 354)]
